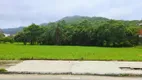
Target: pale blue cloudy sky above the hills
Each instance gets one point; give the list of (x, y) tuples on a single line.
[(15, 13)]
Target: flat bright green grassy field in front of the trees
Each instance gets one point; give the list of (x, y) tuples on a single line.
[(22, 52)]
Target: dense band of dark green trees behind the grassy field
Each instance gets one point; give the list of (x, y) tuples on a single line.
[(94, 31)]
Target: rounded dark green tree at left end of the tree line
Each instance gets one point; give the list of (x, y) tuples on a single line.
[(30, 34)]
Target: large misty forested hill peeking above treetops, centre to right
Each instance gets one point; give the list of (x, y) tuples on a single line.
[(96, 20)]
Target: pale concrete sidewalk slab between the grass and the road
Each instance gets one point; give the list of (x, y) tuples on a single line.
[(78, 67)]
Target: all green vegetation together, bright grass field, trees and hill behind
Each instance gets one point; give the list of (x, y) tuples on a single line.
[(73, 35)]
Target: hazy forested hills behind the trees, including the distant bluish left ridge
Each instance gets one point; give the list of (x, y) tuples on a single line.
[(73, 20)]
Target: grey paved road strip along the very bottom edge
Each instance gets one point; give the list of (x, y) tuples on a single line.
[(63, 77)]
